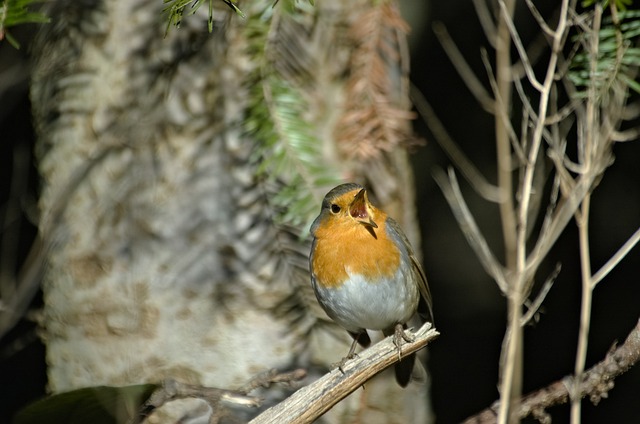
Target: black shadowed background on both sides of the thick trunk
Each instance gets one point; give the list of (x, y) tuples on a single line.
[(470, 310)]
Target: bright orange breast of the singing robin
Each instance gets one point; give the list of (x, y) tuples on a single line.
[(345, 247)]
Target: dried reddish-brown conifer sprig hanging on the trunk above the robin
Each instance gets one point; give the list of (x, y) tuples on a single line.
[(374, 121)]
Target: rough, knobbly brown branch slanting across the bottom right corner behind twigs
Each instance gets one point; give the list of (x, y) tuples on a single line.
[(595, 383)]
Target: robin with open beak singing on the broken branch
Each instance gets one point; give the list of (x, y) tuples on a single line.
[(365, 273)]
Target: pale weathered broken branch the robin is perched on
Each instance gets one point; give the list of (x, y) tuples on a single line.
[(310, 402)]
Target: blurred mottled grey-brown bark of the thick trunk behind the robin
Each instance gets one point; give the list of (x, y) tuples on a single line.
[(165, 261)]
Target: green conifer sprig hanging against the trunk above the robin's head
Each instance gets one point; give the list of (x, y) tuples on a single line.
[(288, 152)]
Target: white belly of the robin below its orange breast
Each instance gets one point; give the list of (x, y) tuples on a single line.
[(359, 304)]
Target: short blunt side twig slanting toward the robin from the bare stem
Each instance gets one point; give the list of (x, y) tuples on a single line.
[(476, 240)]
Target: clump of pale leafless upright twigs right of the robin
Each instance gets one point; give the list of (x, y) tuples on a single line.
[(597, 127)]
